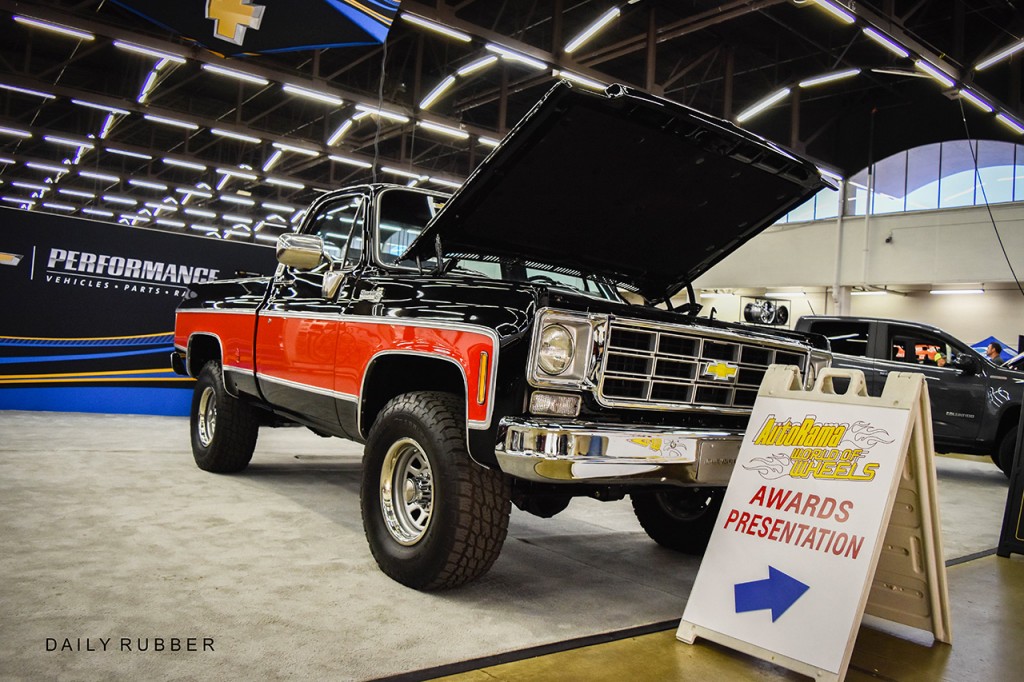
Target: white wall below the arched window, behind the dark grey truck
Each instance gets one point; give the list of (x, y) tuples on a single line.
[(946, 248)]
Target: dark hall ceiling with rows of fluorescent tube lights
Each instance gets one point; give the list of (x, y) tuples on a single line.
[(446, 100)]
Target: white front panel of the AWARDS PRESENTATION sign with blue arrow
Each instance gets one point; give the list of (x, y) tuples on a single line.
[(791, 562)]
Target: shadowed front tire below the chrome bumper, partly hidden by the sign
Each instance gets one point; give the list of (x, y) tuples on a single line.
[(681, 521)]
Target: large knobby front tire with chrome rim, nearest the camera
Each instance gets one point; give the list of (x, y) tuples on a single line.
[(433, 517)]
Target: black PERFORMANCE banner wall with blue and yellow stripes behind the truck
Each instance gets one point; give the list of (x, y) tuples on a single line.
[(89, 312)]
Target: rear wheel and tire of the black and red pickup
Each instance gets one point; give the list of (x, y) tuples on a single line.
[(224, 429)]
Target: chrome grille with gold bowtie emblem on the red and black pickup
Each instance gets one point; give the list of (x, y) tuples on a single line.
[(649, 366)]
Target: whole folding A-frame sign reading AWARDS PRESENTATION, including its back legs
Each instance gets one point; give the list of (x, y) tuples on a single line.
[(831, 514)]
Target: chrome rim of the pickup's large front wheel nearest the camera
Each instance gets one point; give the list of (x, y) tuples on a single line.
[(407, 491)]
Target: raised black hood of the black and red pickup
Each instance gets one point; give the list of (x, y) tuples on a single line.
[(642, 190)]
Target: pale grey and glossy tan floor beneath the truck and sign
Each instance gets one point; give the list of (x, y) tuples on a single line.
[(110, 532)]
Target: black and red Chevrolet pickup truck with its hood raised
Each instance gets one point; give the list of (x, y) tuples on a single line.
[(482, 347)]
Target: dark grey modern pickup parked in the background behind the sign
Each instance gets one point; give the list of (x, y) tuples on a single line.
[(976, 405)]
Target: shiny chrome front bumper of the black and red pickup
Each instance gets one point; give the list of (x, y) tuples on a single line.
[(550, 452)]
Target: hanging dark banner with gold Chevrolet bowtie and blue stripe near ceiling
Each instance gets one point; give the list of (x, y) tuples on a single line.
[(238, 27)]
